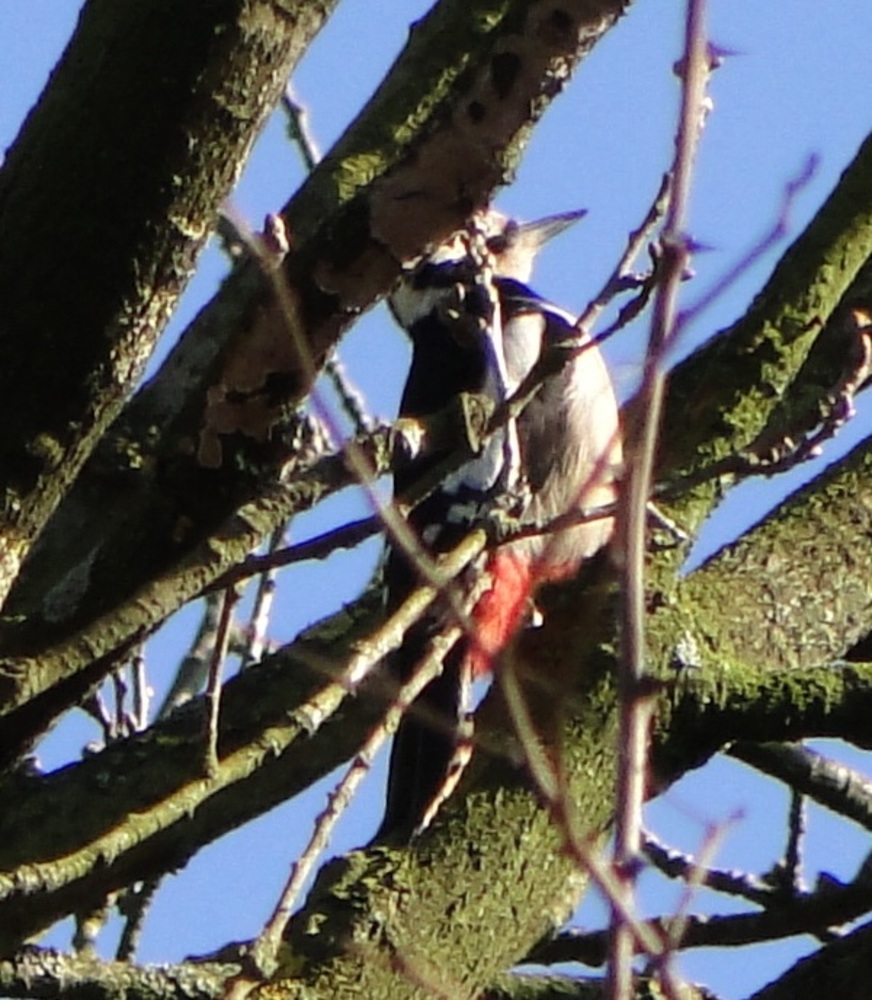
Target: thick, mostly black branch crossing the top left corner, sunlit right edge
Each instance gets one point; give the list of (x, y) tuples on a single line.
[(102, 221)]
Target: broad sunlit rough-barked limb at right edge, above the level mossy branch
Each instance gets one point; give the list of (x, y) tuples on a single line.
[(792, 592)]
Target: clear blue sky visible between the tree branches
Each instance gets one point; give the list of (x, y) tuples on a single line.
[(797, 85)]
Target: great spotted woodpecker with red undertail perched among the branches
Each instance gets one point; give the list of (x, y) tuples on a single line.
[(475, 326)]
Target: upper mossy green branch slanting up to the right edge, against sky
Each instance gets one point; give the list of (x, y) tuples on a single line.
[(723, 397)]
